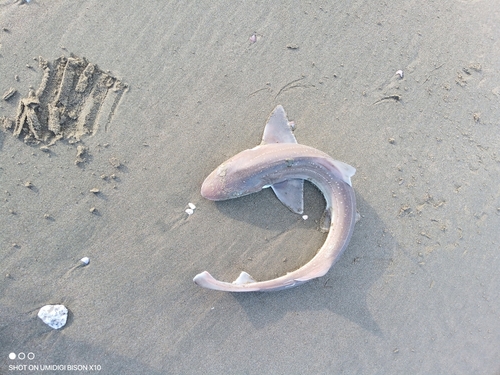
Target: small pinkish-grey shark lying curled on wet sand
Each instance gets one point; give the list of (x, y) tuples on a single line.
[(281, 163)]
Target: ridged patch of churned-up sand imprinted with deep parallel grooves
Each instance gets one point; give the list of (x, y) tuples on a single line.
[(75, 98)]
